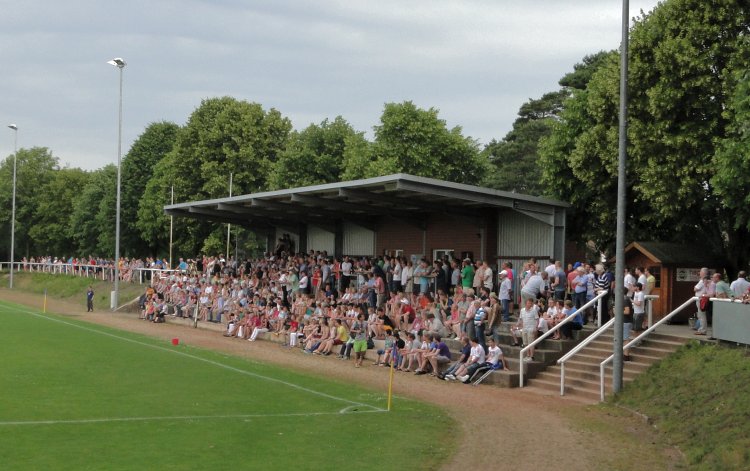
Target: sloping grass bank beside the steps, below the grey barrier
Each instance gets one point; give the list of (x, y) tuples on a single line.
[(700, 398)]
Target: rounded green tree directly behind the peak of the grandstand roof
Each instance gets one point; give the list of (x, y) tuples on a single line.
[(416, 141)]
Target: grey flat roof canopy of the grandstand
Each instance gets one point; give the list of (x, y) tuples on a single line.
[(362, 202)]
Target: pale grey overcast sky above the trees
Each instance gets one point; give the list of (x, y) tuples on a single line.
[(475, 61)]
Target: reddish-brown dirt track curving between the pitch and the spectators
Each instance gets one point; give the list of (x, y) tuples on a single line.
[(499, 427)]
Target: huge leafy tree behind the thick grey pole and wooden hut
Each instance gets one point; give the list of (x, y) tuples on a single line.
[(680, 80)]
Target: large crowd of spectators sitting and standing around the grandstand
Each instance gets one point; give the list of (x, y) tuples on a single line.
[(326, 306)]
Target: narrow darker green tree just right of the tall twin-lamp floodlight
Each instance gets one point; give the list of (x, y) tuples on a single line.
[(137, 168)]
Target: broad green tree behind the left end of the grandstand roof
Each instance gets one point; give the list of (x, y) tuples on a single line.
[(222, 136)]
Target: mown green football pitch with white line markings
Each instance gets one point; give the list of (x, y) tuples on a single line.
[(81, 396)]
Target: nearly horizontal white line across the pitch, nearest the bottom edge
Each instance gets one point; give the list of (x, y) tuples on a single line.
[(345, 411)]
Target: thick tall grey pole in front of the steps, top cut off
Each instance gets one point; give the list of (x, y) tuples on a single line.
[(617, 364)]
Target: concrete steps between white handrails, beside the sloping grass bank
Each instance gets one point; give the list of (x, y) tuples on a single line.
[(582, 371)]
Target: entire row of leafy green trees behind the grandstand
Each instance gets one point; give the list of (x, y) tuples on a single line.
[(688, 153)]
